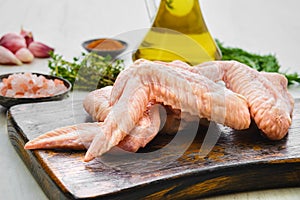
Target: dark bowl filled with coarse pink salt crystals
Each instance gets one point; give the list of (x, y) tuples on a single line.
[(27, 87)]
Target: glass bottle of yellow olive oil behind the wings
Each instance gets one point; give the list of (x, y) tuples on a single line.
[(178, 33)]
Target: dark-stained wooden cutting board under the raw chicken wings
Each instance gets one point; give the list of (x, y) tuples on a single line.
[(240, 161)]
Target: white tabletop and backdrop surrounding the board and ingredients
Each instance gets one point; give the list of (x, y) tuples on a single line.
[(269, 26)]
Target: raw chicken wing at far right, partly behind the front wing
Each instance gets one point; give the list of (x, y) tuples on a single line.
[(271, 105)]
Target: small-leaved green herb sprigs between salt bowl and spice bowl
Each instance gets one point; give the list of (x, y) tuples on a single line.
[(89, 72)]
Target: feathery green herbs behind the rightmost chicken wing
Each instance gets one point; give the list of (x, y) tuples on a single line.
[(267, 63)]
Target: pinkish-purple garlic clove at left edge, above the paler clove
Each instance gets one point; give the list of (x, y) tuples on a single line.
[(13, 42)]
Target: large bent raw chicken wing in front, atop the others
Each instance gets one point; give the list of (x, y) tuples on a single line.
[(178, 88)]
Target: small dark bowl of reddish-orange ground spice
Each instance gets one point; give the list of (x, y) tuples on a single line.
[(105, 46)]
